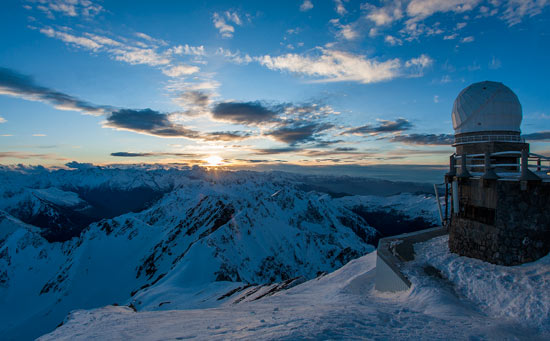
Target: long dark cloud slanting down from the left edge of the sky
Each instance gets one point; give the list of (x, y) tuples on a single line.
[(18, 85)]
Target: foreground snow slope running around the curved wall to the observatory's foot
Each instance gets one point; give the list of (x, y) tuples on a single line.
[(340, 305)]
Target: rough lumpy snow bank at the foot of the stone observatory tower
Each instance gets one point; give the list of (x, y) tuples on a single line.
[(518, 293)]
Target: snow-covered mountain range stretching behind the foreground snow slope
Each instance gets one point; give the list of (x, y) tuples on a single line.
[(185, 232)]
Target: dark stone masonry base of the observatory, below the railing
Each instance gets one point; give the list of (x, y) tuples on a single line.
[(500, 223)]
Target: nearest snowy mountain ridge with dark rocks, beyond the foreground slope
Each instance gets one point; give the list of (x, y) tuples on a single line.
[(211, 230)]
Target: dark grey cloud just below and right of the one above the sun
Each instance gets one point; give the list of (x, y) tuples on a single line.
[(298, 132)]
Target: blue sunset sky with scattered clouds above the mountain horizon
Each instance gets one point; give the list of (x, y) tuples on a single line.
[(252, 84)]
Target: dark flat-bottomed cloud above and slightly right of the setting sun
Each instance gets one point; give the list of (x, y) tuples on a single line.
[(244, 112)]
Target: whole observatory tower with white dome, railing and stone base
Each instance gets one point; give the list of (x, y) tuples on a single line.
[(500, 192)]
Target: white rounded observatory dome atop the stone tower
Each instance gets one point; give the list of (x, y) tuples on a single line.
[(486, 107)]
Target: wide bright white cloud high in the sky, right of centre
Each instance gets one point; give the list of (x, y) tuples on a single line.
[(338, 66)]
